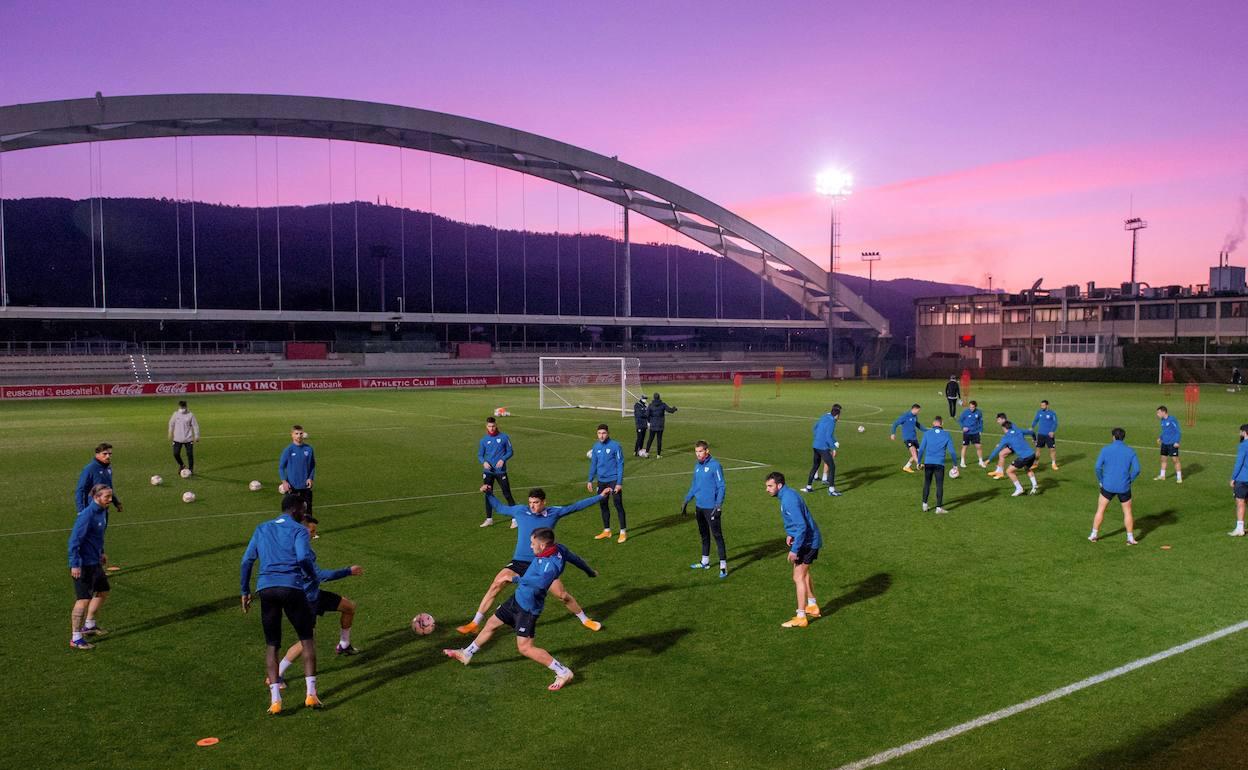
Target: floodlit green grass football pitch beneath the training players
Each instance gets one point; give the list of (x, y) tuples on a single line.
[(928, 622)]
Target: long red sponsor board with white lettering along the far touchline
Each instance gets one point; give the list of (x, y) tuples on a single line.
[(351, 384)]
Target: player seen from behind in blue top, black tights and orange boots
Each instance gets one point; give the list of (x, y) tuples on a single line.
[(288, 572)]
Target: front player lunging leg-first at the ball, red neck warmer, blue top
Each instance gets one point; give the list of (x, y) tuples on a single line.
[(522, 611)]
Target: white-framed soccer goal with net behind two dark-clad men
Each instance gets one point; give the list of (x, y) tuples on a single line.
[(590, 384)]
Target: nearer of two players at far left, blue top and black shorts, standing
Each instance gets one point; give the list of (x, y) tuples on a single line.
[(88, 563)]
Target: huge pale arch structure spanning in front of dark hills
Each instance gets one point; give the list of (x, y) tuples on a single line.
[(635, 190)]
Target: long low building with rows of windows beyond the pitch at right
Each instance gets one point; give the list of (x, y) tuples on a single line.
[(1070, 328)]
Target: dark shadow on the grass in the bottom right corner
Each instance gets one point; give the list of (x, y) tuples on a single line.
[(1206, 738)]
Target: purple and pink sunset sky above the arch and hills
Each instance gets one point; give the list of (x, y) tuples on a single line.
[(985, 138)]
